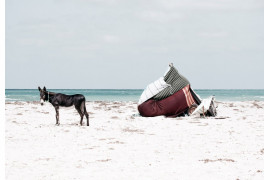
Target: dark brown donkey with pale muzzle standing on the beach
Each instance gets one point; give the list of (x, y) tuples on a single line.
[(58, 99)]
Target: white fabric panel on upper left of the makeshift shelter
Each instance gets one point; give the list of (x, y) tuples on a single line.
[(153, 89)]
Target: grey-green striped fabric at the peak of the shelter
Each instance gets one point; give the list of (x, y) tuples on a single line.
[(177, 82)]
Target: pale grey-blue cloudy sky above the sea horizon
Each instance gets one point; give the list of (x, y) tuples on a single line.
[(118, 44)]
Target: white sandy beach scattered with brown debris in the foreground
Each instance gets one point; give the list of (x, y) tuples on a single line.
[(119, 144)]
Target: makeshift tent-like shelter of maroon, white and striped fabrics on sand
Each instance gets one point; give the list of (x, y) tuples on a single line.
[(170, 96)]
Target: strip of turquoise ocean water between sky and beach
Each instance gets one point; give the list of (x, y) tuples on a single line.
[(134, 94)]
